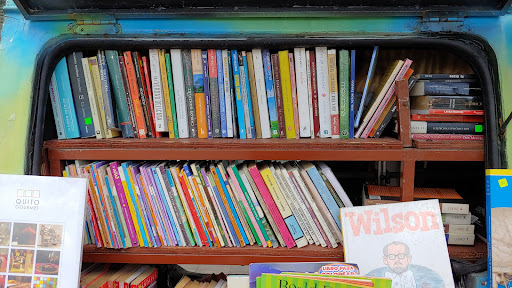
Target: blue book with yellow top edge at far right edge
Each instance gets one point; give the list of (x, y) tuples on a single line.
[(499, 211)]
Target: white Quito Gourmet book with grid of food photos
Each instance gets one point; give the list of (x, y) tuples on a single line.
[(41, 224)]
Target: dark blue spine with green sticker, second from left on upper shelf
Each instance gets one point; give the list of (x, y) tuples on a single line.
[(80, 98)]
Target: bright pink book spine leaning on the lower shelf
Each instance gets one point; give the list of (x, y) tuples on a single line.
[(272, 207)]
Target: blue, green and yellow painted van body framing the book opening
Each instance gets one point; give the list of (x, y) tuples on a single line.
[(22, 40)]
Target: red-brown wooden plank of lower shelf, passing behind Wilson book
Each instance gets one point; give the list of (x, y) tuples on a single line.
[(241, 256)]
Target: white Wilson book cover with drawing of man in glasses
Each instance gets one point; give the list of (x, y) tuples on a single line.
[(396, 241)]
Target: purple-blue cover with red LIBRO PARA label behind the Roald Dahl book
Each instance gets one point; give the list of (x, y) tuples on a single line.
[(324, 268)]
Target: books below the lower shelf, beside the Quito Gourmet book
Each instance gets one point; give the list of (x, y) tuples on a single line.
[(129, 275)]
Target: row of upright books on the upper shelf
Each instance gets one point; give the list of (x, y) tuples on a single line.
[(194, 93)]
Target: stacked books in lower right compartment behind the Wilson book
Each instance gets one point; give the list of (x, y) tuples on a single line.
[(454, 210)]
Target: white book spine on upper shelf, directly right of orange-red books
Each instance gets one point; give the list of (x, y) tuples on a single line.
[(156, 84)]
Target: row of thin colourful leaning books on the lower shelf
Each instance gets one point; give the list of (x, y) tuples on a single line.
[(219, 204)]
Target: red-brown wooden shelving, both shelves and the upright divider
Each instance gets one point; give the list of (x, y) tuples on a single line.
[(404, 150)]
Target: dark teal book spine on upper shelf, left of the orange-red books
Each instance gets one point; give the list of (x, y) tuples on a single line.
[(119, 93)]
